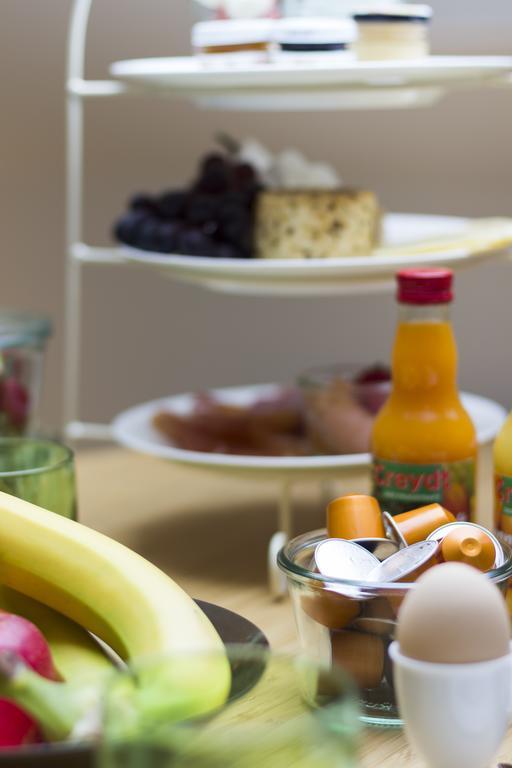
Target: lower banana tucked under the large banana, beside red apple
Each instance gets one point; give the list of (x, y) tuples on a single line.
[(76, 654)]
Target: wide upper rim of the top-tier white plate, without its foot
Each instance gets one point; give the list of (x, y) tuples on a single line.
[(190, 74)]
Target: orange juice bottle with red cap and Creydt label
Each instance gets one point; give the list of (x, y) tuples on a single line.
[(424, 443)]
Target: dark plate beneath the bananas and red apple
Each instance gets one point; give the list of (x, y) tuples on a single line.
[(233, 629)]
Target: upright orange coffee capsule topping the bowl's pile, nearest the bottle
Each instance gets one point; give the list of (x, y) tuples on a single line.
[(355, 517)]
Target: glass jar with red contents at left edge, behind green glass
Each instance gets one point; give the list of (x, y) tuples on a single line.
[(22, 343)]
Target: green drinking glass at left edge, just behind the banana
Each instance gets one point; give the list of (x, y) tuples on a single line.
[(41, 471)]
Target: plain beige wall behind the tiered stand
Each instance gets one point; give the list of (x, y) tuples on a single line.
[(145, 337)]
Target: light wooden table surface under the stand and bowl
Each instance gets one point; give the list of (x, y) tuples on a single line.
[(210, 533)]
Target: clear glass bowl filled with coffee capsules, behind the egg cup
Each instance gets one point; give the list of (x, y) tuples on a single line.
[(353, 623)]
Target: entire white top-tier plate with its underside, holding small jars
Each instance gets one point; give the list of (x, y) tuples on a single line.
[(282, 86)]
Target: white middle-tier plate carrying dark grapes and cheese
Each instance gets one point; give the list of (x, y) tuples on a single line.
[(408, 240)]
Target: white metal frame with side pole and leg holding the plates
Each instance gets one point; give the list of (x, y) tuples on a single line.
[(78, 253)]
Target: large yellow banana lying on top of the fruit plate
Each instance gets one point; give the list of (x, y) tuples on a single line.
[(127, 602)]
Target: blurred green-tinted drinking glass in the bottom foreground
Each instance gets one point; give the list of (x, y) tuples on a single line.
[(282, 712)]
